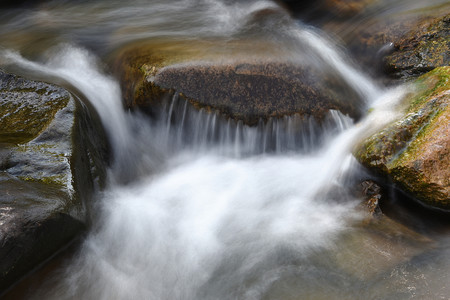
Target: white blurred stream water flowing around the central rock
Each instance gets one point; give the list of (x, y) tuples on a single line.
[(201, 207)]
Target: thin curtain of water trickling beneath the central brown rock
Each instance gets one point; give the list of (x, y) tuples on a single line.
[(181, 126)]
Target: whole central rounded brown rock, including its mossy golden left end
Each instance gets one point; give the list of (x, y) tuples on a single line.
[(246, 90)]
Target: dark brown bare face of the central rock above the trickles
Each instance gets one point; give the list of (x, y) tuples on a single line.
[(250, 92)]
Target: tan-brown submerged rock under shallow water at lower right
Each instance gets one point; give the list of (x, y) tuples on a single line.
[(378, 246)]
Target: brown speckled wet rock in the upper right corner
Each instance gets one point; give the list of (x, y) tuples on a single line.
[(402, 43)]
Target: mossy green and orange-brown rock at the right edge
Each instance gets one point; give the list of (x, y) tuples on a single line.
[(415, 150)]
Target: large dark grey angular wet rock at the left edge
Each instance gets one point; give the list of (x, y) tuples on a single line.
[(51, 158)]
